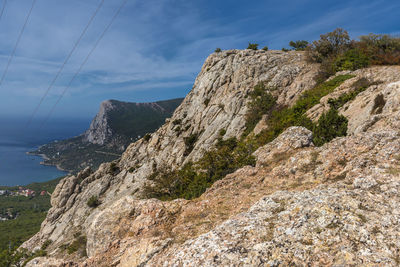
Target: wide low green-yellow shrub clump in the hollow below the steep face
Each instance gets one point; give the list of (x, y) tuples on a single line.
[(194, 178)]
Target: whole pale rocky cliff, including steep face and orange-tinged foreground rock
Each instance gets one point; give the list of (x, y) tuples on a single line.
[(329, 205)]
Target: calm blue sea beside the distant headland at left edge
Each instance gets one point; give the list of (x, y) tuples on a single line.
[(19, 168)]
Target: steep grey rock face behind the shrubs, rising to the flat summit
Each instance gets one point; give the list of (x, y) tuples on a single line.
[(217, 101)]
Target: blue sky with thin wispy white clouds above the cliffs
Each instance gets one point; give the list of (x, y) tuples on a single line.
[(155, 48)]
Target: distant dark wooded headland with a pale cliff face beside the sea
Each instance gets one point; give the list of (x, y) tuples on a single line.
[(115, 126)]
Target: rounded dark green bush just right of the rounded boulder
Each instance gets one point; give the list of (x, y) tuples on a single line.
[(330, 125)]
